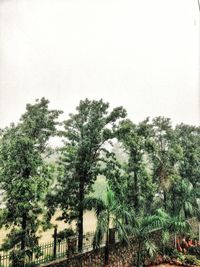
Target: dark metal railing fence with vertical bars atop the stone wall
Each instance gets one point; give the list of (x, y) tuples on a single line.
[(51, 251)]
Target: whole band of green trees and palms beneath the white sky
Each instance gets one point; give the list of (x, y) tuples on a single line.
[(151, 168)]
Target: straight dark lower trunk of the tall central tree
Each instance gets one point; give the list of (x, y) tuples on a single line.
[(80, 216)]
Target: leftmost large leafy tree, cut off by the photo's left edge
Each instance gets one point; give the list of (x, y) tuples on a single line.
[(24, 176)]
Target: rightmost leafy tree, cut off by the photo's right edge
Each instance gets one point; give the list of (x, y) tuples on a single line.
[(189, 139)]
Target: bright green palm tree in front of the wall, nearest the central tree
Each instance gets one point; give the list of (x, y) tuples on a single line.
[(110, 214)]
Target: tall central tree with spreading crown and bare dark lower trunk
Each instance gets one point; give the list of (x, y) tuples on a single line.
[(87, 132)]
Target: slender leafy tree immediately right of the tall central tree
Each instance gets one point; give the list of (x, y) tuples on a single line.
[(139, 186)]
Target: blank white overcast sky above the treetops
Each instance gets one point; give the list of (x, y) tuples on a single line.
[(142, 54)]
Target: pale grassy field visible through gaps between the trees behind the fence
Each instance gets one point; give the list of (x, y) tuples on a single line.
[(89, 216)]
